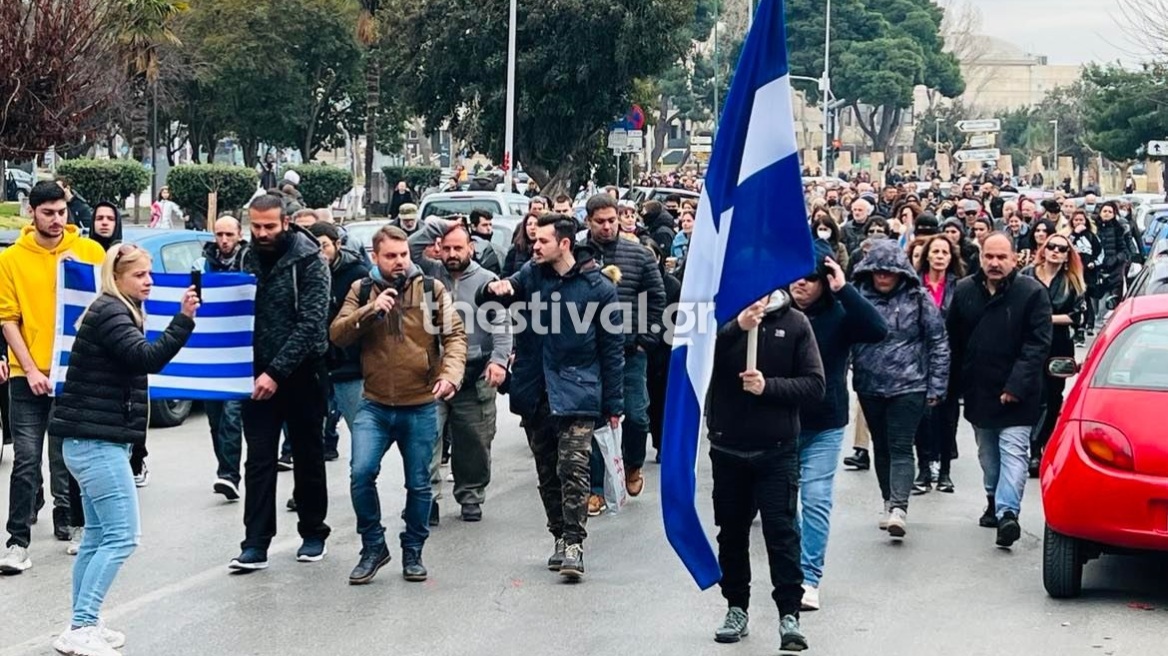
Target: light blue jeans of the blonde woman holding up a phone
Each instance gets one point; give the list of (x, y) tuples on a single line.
[(113, 527)]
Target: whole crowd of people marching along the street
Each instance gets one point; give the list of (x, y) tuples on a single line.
[(933, 298)]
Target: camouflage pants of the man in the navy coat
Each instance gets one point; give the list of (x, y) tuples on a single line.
[(562, 448)]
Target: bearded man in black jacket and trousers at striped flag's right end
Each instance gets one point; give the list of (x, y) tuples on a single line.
[(290, 340)]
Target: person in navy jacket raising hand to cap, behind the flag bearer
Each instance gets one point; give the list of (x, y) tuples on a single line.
[(840, 318)]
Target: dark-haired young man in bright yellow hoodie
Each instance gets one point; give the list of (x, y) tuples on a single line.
[(29, 316)]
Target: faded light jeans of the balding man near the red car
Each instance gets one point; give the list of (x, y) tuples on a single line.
[(1004, 455)]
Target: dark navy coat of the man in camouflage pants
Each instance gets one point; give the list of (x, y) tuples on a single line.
[(579, 374)]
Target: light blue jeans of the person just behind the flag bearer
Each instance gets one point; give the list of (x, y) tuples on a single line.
[(819, 455)]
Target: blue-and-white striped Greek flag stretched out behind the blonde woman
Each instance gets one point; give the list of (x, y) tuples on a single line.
[(217, 362)]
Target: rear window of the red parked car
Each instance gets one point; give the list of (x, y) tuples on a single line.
[(1138, 359)]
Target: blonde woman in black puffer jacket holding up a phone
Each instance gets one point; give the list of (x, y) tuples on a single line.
[(100, 415)]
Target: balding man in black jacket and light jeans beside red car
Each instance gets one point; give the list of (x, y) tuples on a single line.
[(1000, 331)]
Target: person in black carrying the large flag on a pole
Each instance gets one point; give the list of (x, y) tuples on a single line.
[(754, 429)]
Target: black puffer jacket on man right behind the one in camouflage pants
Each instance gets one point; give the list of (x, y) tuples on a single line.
[(639, 275)]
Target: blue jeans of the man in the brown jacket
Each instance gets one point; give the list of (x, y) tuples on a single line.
[(415, 429)]
